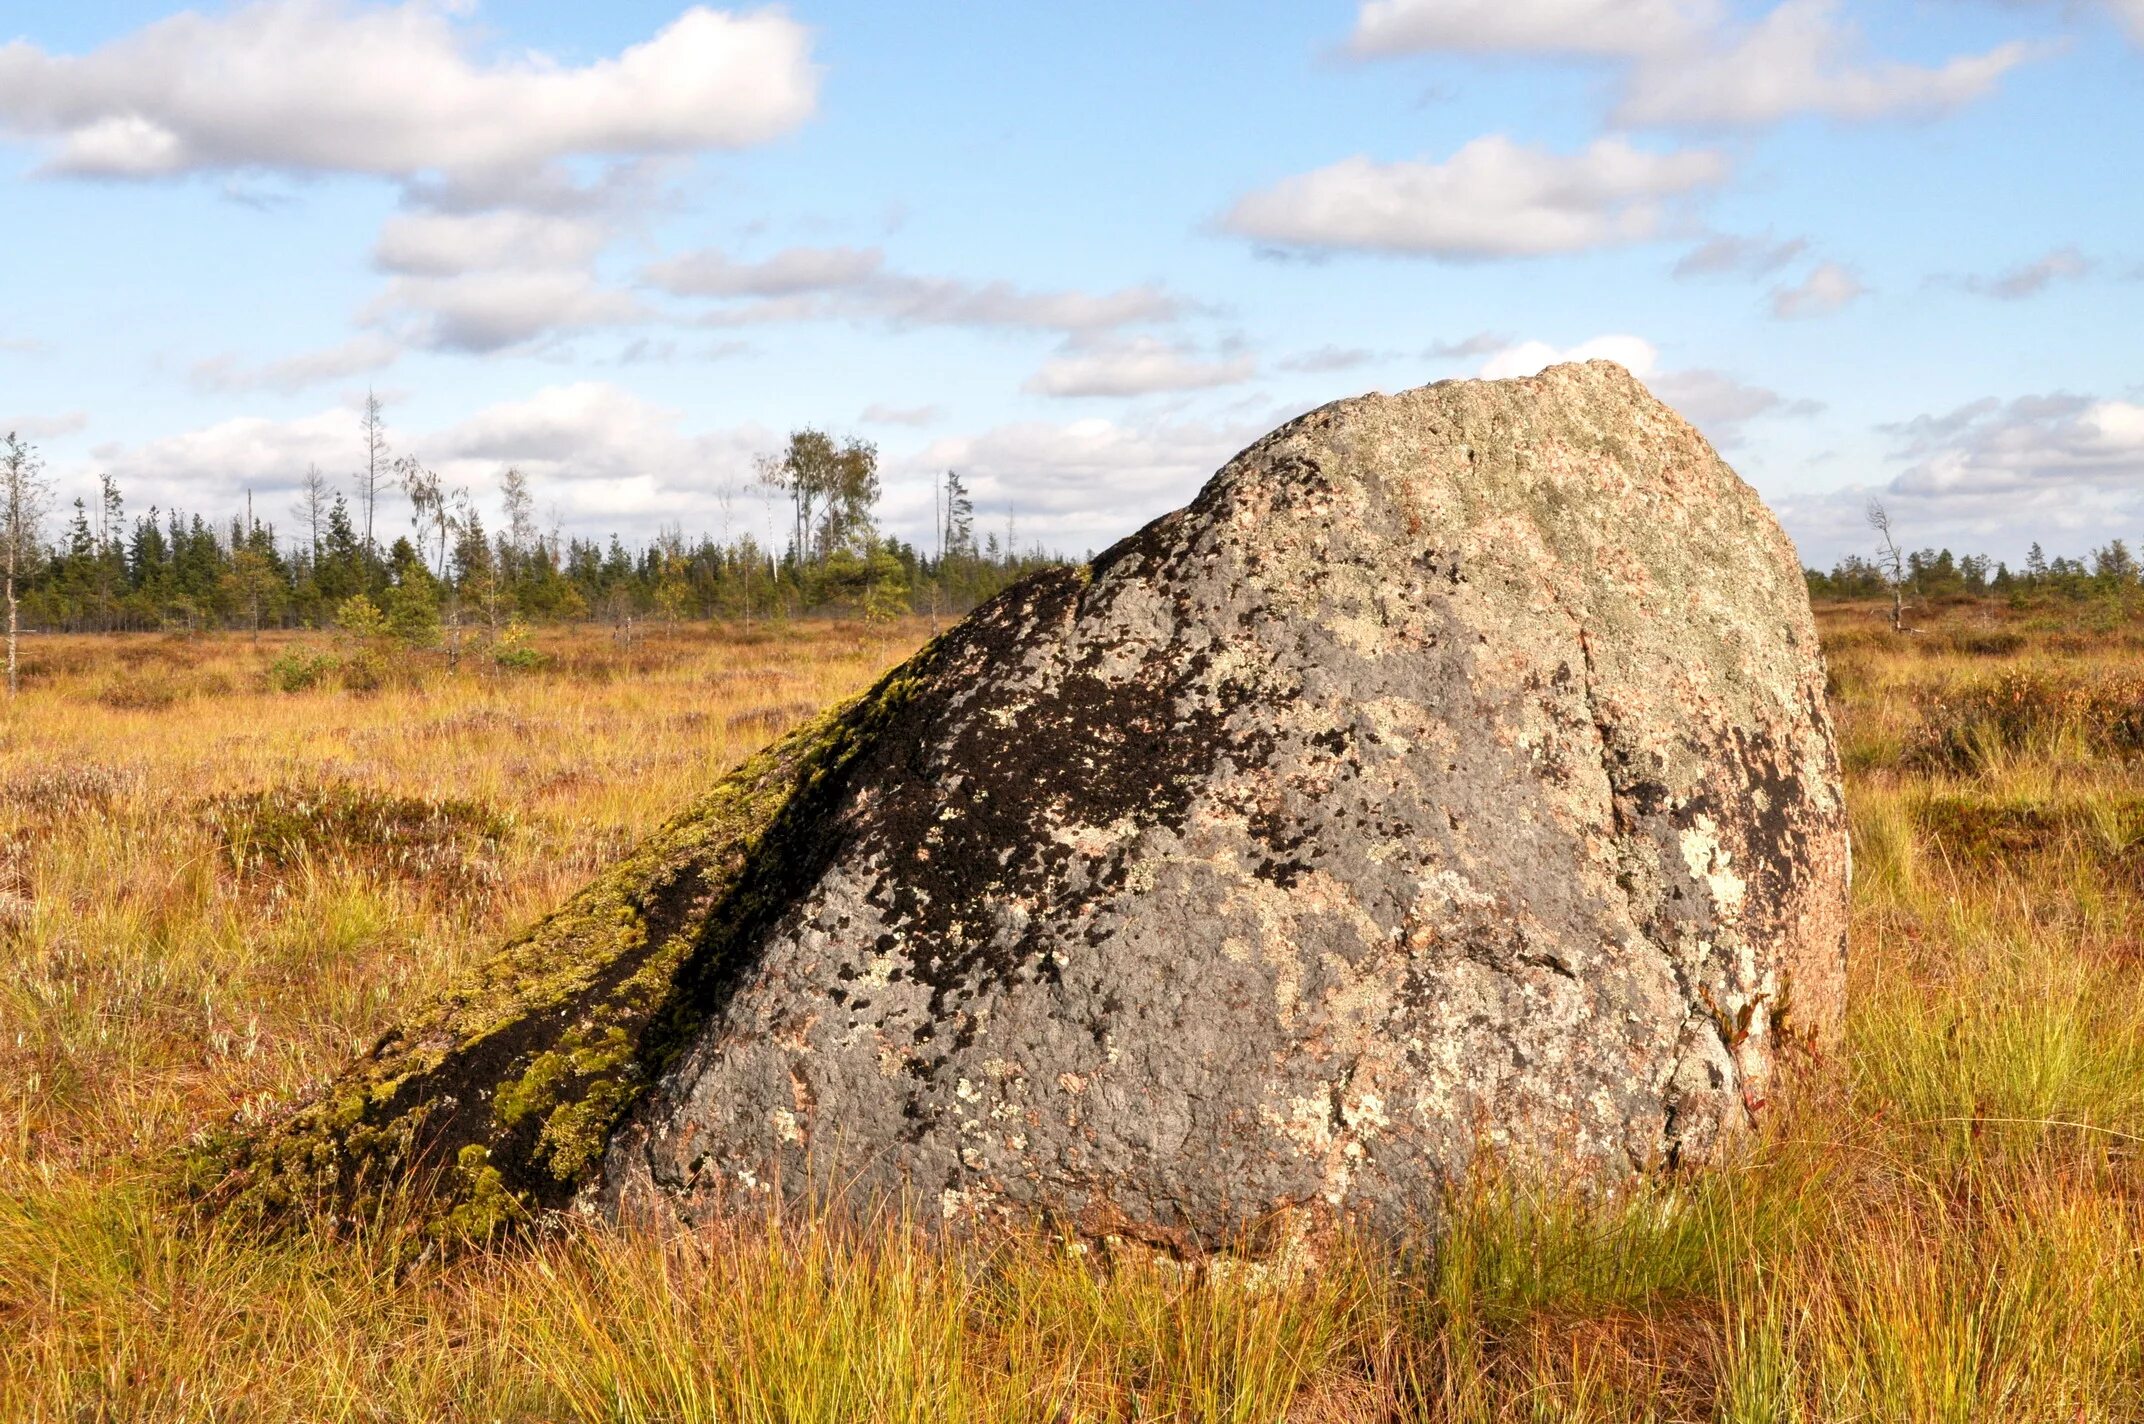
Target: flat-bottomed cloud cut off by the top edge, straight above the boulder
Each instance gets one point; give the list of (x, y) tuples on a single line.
[(1530, 27)]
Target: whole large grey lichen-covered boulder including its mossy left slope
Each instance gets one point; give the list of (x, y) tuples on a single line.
[(1450, 777)]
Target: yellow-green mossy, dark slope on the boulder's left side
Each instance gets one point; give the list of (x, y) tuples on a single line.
[(496, 1101)]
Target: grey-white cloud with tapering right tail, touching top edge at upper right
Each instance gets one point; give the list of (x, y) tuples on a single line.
[(1802, 61)]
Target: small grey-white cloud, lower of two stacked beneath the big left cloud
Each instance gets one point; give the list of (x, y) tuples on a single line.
[(492, 312)]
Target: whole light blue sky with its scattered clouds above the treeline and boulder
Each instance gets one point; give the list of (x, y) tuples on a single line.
[(1080, 254)]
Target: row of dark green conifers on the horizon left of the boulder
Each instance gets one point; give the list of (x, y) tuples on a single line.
[(98, 567)]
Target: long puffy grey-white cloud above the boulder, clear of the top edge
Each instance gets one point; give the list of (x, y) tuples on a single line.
[(1493, 198)]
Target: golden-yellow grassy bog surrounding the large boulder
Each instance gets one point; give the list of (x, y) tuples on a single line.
[(213, 893)]
